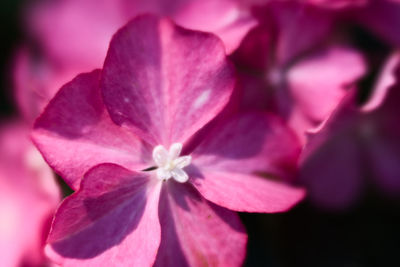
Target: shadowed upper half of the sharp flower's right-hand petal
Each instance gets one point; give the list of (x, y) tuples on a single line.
[(254, 142)]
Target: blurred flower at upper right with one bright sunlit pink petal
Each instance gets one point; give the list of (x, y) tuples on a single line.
[(302, 82)]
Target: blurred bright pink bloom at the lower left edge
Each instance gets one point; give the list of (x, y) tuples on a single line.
[(28, 198)]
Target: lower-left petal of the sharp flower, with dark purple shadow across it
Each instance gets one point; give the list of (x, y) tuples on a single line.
[(112, 220)]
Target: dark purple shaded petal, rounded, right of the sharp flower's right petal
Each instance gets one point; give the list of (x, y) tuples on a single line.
[(333, 174)]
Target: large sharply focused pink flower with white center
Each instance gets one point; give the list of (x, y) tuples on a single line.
[(151, 106)]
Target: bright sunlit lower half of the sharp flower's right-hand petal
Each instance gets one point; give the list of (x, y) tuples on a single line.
[(247, 193)]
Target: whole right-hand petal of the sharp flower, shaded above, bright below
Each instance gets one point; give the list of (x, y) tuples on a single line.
[(229, 160)]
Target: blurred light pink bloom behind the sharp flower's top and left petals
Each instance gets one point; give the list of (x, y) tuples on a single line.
[(74, 36)]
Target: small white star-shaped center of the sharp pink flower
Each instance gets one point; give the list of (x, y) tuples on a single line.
[(170, 164)]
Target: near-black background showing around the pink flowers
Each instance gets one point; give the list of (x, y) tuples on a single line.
[(366, 235)]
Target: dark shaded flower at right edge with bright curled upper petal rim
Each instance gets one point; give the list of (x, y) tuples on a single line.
[(355, 143)]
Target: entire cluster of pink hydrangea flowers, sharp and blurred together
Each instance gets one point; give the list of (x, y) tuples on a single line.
[(166, 118)]
